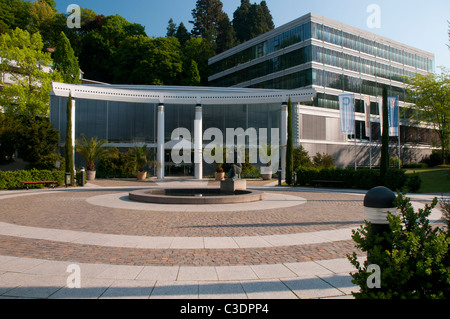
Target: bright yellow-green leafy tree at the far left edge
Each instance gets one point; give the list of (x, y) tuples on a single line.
[(29, 66)]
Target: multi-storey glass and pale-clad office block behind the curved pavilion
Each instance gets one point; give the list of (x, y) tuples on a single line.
[(332, 58)]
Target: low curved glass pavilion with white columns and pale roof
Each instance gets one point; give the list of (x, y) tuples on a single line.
[(128, 116)]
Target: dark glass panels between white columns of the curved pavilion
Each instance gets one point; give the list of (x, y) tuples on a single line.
[(120, 122)]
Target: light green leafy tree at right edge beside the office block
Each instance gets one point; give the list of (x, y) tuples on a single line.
[(431, 95)]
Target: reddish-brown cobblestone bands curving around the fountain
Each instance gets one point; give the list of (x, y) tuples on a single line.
[(75, 211)]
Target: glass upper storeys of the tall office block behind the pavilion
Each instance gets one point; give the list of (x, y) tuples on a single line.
[(353, 58)]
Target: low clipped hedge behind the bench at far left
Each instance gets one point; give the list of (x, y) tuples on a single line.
[(12, 179)]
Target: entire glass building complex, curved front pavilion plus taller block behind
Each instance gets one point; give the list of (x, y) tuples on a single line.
[(312, 60)]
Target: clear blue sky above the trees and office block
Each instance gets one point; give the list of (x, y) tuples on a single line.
[(418, 23)]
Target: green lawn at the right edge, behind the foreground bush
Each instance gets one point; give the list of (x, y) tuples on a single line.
[(434, 180)]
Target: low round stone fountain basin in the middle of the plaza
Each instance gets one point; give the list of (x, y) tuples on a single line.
[(199, 196)]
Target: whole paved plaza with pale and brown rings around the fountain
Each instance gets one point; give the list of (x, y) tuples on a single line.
[(93, 242)]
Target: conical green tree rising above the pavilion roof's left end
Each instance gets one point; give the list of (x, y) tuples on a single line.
[(65, 61)]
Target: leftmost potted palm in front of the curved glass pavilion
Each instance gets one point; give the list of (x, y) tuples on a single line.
[(92, 151)]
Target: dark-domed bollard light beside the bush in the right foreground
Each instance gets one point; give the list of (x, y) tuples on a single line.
[(377, 202)]
